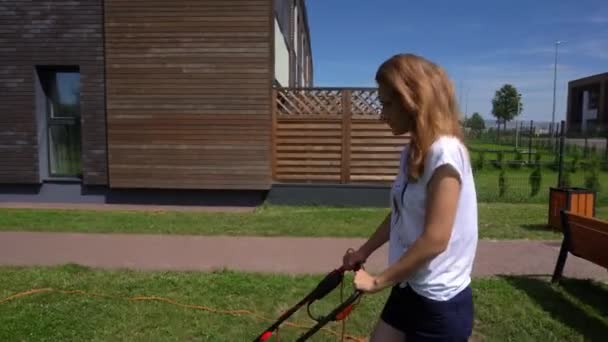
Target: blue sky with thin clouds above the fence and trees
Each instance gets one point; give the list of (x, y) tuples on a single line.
[(481, 44)]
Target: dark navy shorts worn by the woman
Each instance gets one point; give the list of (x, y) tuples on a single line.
[(423, 319)]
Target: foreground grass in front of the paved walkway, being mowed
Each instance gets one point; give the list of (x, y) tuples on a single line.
[(508, 308)]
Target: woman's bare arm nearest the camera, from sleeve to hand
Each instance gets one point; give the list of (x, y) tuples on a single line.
[(442, 201)]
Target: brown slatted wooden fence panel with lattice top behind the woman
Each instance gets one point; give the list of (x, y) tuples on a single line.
[(332, 136)]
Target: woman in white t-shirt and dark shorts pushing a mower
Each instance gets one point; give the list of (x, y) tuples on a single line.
[(432, 228)]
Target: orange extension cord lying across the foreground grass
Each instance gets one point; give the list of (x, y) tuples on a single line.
[(342, 336)]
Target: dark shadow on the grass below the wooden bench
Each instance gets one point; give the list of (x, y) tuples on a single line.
[(555, 300)]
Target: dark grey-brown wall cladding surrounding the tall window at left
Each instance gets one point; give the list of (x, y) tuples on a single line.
[(49, 33)]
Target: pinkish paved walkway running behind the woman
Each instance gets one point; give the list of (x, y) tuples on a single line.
[(259, 254)]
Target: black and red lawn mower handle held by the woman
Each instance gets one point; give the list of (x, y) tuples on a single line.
[(327, 285)]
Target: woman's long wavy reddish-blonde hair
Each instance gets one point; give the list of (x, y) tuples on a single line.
[(422, 88)]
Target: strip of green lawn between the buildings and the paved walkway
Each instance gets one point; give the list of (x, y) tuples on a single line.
[(496, 221)]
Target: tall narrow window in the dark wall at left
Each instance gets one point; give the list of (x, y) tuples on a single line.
[(61, 87)]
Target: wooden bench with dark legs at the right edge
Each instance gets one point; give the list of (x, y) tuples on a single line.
[(585, 237)]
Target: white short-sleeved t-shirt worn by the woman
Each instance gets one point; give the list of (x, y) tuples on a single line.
[(450, 272)]
